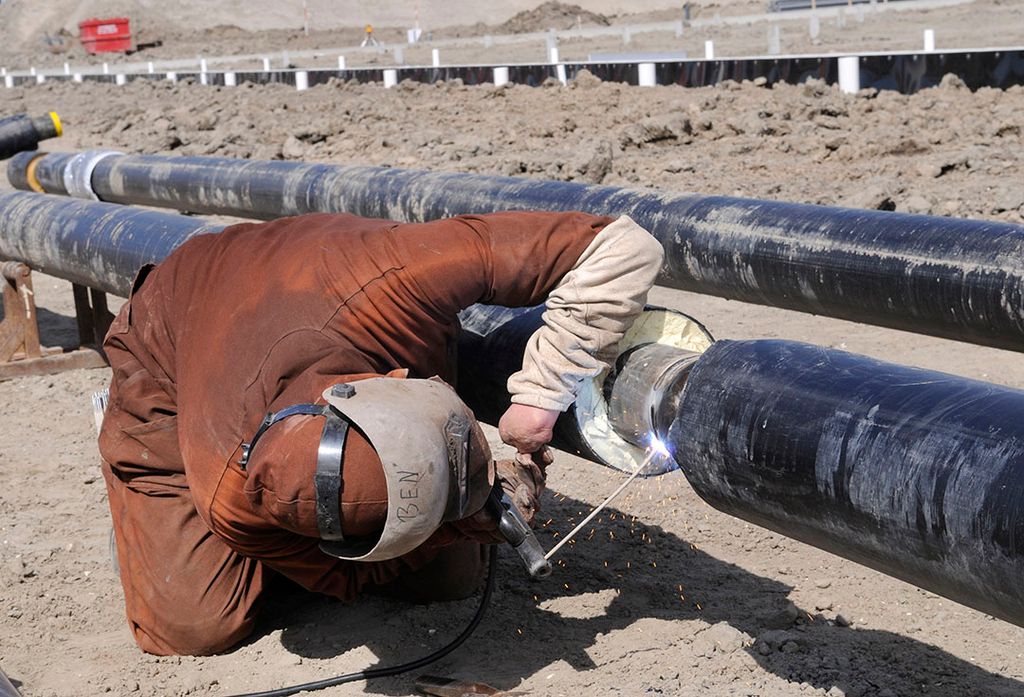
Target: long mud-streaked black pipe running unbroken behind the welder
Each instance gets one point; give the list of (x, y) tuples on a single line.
[(951, 278)]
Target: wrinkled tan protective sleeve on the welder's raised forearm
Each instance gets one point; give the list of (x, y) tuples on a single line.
[(587, 314)]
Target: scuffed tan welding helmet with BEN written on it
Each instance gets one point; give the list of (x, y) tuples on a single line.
[(438, 465)]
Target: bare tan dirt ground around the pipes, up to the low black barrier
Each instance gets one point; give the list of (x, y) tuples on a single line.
[(668, 597)]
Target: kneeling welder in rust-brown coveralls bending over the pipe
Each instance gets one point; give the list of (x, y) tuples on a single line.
[(282, 404)]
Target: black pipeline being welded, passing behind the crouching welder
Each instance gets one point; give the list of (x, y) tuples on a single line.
[(915, 473)]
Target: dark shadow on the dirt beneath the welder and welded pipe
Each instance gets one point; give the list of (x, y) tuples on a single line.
[(645, 568)]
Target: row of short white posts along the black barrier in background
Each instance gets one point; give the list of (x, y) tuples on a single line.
[(849, 70)]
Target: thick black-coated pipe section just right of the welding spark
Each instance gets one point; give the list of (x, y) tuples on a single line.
[(915, 473)]
